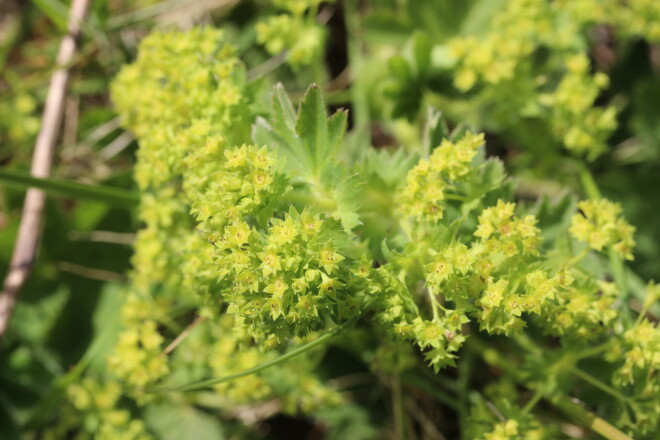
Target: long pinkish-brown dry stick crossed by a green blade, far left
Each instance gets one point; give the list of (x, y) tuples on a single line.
[(29, 231)]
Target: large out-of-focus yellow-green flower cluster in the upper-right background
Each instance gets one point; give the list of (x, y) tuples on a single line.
[(501, 68)]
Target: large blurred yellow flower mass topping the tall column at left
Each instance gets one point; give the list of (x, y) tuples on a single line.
[(186, 88)]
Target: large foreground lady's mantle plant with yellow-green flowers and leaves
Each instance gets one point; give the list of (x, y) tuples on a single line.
[(266, 229)]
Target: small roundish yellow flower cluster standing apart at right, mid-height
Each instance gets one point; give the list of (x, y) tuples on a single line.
[(600, 225)]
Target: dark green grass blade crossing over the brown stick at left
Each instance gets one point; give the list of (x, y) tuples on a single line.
[(112, 196)]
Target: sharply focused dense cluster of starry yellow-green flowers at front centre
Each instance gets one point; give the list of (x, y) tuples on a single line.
[(288, 280)]
